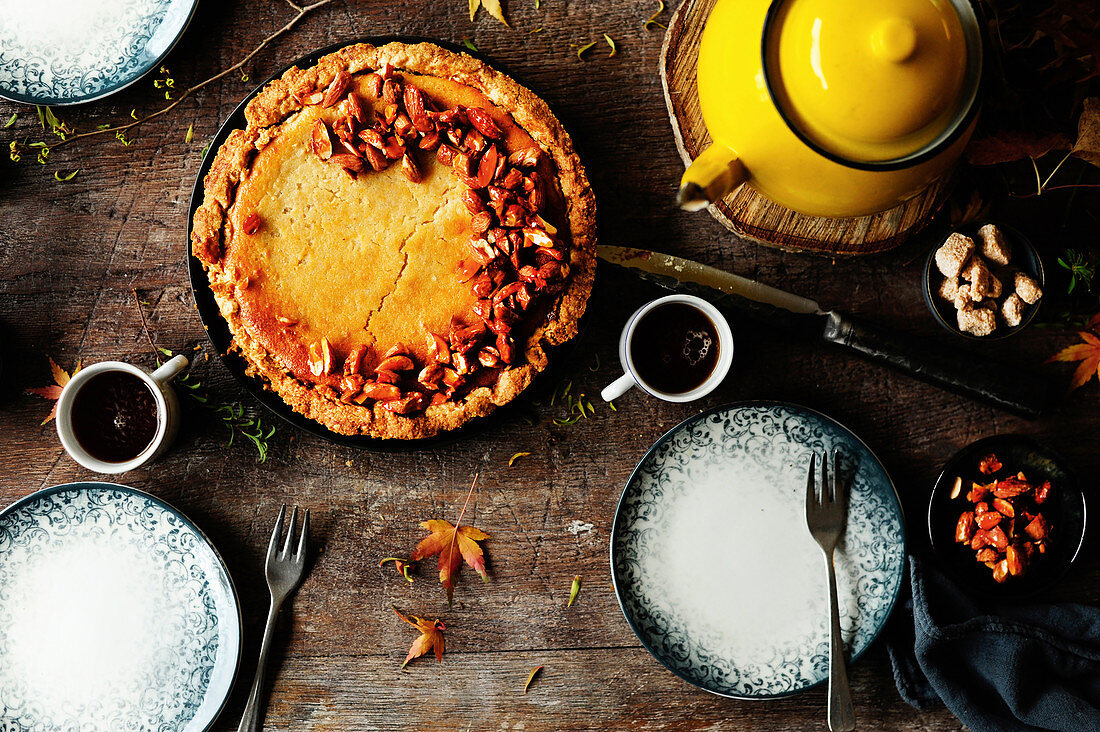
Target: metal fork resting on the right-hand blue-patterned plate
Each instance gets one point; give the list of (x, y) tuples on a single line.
[(827, 516)]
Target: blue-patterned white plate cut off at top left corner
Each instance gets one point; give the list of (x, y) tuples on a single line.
[(65, 52)]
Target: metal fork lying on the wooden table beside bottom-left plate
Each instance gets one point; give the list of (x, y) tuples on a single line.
[(284, 573)]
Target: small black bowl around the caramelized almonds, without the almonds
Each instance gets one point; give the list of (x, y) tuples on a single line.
[(1065, 511)]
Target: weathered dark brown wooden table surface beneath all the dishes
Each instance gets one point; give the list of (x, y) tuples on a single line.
[(71, 254)]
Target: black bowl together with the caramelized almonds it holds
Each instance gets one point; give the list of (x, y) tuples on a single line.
[(1007, 517)]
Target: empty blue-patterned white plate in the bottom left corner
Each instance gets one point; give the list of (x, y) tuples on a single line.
[(116, 614)]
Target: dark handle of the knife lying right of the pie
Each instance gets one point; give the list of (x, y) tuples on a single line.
[(997, 384)]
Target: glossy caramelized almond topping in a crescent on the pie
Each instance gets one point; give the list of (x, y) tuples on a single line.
[(516, 254)]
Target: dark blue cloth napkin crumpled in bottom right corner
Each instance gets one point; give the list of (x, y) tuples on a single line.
[(999, 668)]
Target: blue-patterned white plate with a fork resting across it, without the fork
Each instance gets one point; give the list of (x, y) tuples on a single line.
[(713, 564)]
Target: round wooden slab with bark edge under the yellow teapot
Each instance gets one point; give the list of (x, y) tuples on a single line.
[(747, 213)]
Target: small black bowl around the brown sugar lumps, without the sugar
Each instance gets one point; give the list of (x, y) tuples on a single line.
[(1025, 258)]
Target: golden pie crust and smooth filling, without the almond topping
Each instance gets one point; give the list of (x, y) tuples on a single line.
[(299, 249)]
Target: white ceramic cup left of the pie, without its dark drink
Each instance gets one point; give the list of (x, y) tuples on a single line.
[(168, 412)]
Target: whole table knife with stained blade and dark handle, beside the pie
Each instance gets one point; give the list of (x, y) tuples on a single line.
[(997, 384)]
